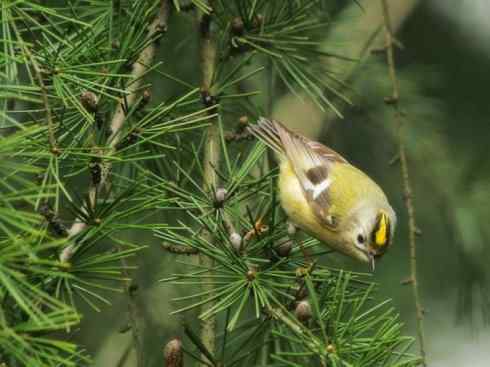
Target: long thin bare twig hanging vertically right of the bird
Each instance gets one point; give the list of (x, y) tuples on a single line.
[(407, 189)]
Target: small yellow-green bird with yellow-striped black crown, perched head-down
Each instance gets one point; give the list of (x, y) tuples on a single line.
[(327, 197)]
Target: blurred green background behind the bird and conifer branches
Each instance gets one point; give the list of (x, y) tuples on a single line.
[(444, 72)]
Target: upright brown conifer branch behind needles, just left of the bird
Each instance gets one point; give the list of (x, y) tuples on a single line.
[(208, 54)]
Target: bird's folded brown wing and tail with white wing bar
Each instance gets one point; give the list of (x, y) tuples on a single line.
[(310, 160)]
